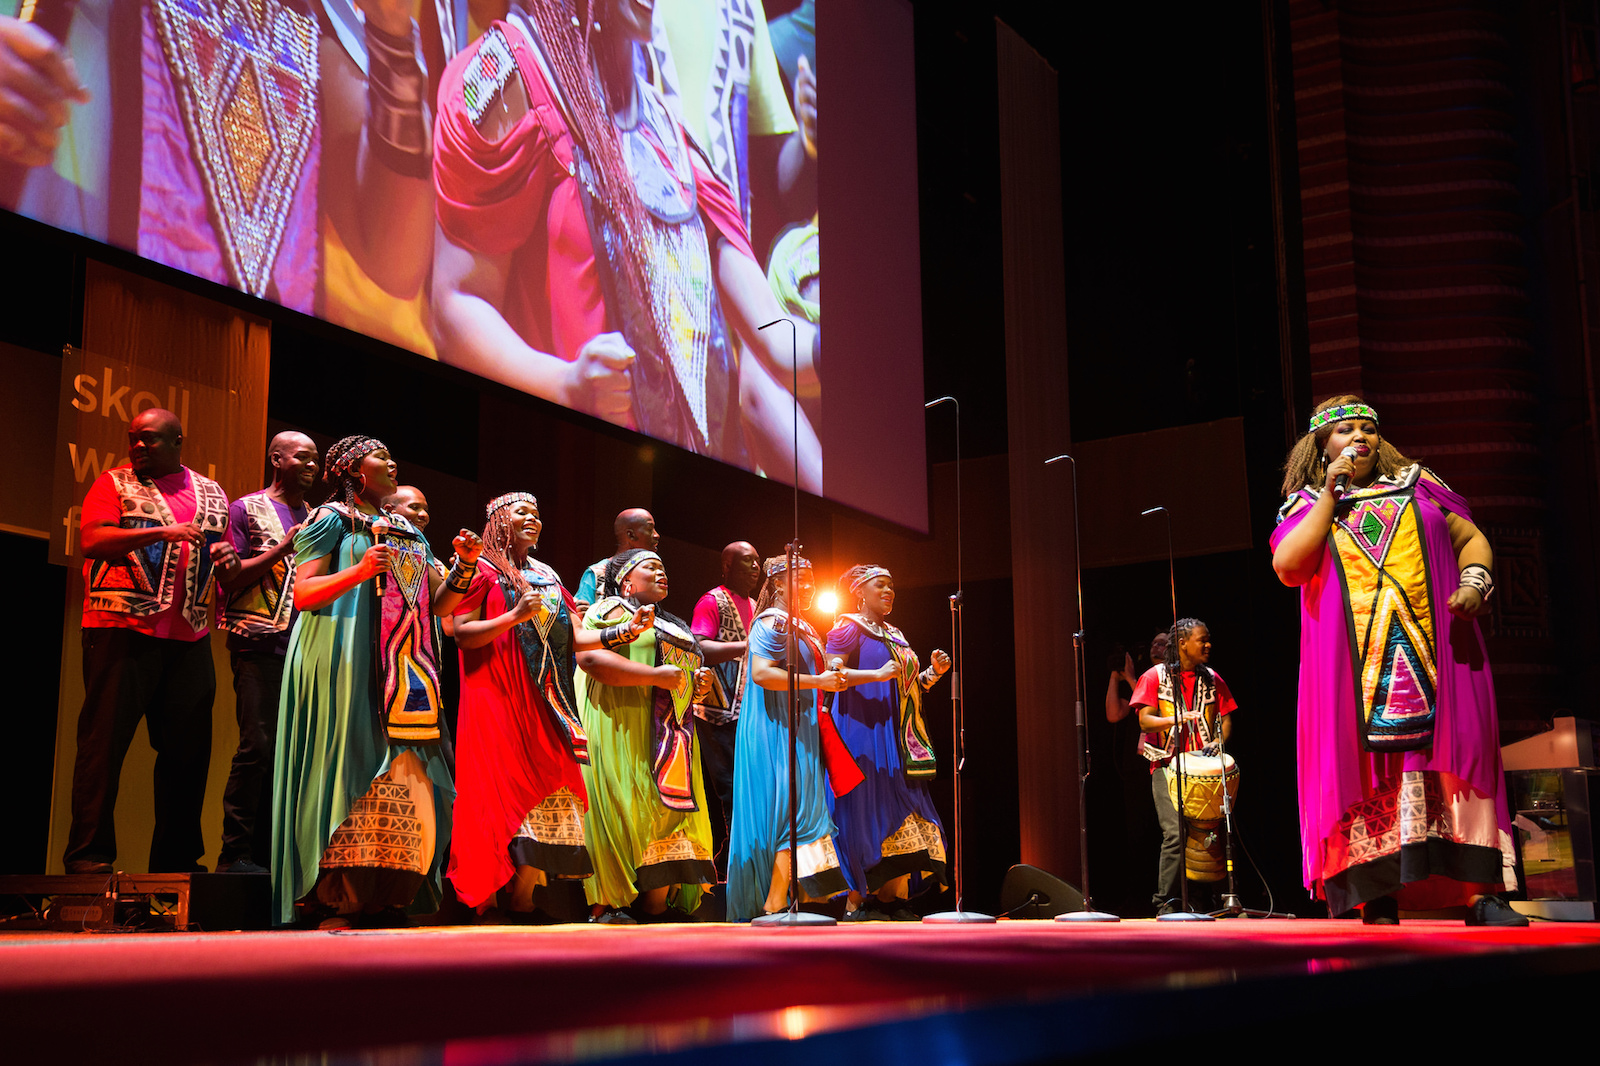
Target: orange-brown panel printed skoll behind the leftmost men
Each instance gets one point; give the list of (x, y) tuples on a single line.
[(150, 345)]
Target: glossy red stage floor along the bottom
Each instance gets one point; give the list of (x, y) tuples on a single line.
[(1009, 993)]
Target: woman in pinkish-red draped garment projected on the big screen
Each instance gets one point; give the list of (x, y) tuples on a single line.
[(572, 204)]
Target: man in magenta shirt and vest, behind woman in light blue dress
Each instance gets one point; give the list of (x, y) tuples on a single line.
[(726, 615)]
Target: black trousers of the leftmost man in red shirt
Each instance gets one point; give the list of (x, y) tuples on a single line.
[(170, 684)]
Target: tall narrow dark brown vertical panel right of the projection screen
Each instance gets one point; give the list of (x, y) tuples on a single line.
[(1036, 363)]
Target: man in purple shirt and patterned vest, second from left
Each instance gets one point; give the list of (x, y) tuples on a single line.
[(258, 612)]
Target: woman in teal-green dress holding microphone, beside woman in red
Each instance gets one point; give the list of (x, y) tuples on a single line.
[(362, 793)]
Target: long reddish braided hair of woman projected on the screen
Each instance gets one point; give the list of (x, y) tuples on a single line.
[(567, 31)]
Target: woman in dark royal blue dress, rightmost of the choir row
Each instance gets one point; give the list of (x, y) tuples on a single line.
[(890, 838)]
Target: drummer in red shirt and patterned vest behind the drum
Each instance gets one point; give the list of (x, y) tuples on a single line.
[(1204, 715)]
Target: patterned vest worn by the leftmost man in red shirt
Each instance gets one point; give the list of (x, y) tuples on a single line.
[(145, 582)]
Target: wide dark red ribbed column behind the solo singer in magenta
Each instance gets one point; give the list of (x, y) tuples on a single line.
[(1417, 278)]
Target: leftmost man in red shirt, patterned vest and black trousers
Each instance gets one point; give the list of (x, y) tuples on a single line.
[(153, 532)]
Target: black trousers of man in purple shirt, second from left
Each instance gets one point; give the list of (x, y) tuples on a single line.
[(247, 799)]
